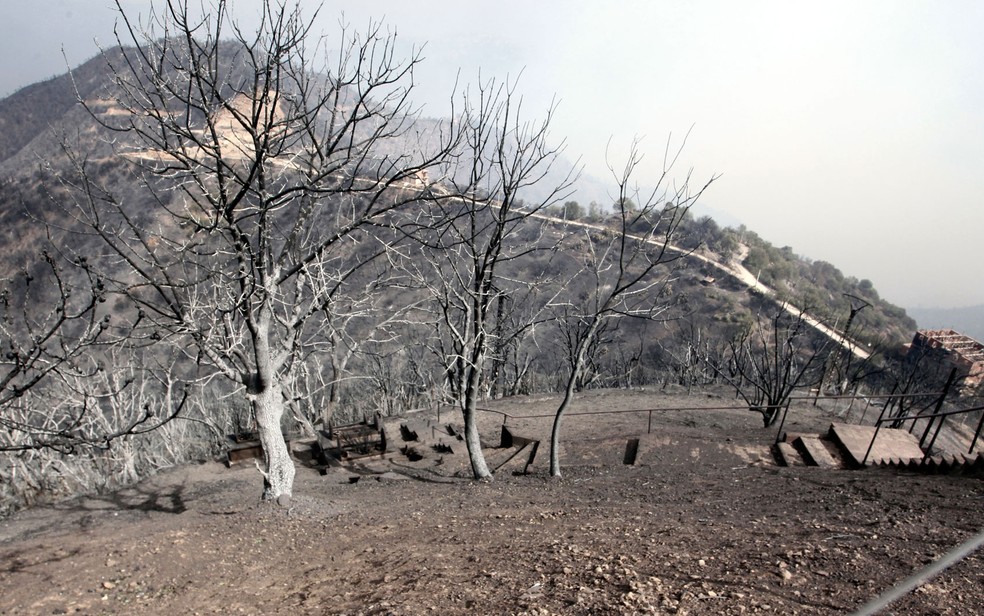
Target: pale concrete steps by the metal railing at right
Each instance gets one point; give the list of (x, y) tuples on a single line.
[(845, 446)]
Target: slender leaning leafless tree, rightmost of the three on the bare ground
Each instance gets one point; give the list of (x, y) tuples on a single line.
[(628, 270)]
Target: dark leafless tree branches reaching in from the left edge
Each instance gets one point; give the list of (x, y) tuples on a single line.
[(54, 337)]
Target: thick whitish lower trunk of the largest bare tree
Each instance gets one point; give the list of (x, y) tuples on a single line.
[(268, 407)]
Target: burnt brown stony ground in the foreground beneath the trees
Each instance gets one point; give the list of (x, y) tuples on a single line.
[(703, 523)]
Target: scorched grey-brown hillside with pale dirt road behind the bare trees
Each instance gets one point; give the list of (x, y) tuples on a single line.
[(374, 346)]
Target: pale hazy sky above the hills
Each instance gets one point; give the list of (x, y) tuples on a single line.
[(851, 131)]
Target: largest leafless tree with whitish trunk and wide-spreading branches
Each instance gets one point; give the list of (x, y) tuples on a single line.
[(264, 157)]
